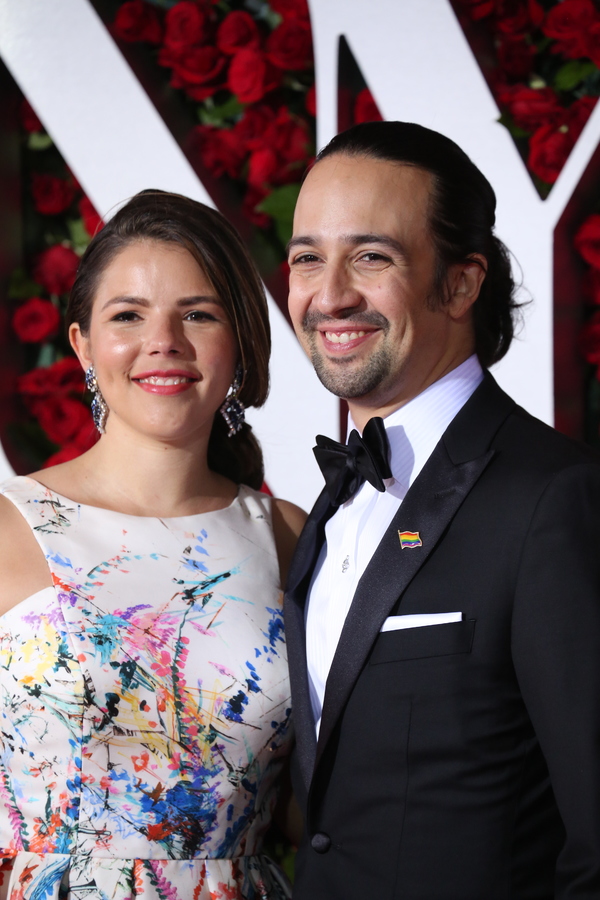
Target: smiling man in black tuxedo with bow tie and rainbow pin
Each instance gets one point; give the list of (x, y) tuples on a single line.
[(443, 607)]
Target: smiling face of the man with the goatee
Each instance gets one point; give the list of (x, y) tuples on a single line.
[(362, 266)]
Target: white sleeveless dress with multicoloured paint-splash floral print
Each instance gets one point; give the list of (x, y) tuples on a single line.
[(144, 705)]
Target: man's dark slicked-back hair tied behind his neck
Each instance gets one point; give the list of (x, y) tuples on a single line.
[(461, 219)]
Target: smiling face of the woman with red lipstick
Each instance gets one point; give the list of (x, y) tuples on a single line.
[(161, 343)]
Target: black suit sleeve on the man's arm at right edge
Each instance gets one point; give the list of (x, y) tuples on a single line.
[(556, 653)]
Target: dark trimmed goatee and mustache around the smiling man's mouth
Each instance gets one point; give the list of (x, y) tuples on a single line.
[(337, 375)]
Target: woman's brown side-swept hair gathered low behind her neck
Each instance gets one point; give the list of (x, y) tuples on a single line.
[(154, 215)]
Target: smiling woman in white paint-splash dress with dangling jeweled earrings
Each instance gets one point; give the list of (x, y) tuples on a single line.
[(144, 699)]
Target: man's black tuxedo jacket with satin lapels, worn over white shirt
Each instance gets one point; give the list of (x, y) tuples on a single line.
[(462, 761)]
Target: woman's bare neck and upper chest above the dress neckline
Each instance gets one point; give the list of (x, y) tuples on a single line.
[(137, 475)]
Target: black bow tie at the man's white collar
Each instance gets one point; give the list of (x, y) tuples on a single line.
[(345, 468)]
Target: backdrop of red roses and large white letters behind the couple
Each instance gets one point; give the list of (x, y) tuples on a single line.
[(217, 101)]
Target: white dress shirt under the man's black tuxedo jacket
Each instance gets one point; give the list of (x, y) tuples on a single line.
[(355, 530)]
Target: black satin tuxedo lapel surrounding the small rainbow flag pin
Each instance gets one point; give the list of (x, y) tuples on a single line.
[(431, 503)]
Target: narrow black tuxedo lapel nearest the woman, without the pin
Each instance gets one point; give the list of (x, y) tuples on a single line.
[(301, 569)]
